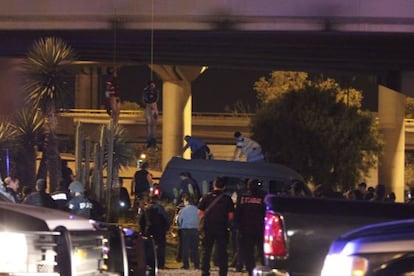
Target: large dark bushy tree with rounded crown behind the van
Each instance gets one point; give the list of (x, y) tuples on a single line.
[(321, 137)]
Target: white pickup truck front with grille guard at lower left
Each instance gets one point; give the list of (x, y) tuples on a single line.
[(41, 241)]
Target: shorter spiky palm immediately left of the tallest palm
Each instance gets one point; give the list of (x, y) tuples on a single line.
[(27, 125)]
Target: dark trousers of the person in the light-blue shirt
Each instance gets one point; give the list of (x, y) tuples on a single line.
[(190, 247)]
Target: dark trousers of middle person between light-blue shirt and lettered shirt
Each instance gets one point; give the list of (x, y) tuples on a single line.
[(220, 238)]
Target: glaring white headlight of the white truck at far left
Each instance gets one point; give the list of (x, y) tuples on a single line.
[(13, 252)]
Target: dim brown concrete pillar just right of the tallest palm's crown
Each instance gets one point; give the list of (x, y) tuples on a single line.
[(87, 87)]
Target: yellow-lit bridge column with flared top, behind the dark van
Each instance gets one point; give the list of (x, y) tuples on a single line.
[(177, 106)]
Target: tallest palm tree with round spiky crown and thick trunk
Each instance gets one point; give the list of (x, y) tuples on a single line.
[(48, 72)]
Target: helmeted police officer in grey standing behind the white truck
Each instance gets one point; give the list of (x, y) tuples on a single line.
[(79, 204)]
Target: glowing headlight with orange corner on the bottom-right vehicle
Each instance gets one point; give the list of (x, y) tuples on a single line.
[(344, 266)]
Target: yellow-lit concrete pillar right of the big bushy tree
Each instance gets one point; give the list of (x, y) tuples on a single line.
[(391, 109)]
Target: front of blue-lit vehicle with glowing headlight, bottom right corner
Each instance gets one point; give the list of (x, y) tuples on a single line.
[(375, 250)]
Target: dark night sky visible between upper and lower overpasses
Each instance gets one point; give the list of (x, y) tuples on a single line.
[(218, 88)]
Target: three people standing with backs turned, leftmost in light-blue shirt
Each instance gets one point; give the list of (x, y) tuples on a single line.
[(210, 221)]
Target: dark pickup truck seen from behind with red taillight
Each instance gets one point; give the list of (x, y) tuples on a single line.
[(299, 230)]
